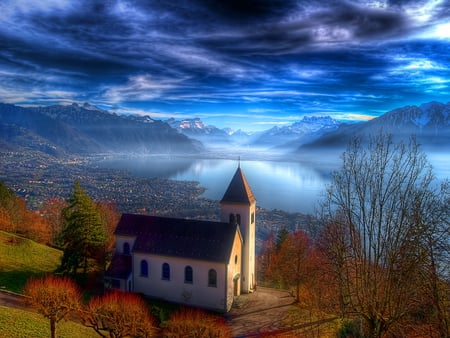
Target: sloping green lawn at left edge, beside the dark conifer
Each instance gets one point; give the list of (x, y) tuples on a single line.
[(21, 258)]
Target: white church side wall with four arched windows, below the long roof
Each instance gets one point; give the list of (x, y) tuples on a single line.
[(197, 293)]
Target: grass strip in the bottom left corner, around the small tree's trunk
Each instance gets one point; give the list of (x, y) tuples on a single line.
[(22, 323)]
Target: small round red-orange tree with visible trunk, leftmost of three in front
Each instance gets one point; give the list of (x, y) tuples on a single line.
[(53, 297)]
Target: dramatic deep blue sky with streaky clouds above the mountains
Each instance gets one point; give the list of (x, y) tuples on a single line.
[(243, 64)]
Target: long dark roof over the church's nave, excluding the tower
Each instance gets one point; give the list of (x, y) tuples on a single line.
[(202, 240)]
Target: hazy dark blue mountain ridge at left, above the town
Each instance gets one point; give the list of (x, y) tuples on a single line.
[(85, 129)]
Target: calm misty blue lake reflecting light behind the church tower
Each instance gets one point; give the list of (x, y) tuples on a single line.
[(290, 186)]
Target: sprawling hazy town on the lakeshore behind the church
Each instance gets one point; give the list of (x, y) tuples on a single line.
[(36, 179)]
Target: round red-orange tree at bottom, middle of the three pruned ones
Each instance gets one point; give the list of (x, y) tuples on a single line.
[(119, 314)]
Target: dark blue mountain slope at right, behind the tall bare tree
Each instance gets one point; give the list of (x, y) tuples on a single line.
[(429, 123)]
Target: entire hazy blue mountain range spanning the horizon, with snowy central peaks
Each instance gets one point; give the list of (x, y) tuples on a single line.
[(85, 129)]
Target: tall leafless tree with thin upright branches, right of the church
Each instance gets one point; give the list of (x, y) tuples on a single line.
[(377, 207)]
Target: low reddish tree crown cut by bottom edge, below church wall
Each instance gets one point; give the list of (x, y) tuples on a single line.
[(195, 323)]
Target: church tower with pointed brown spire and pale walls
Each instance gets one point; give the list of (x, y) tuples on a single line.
[(238, 205)]
